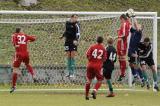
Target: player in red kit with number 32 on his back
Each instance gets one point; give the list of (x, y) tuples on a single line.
[(20, 41)]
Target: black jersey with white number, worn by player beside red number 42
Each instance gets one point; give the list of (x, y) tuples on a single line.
[(111, 58)]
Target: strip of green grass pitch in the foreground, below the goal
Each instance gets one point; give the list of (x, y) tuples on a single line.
[(123, 98)]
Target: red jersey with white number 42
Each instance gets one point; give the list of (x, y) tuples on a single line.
[(96, 54)]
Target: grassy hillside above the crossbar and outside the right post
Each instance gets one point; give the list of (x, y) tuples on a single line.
[(88, 5)]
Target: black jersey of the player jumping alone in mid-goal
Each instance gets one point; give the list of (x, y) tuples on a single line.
[(72, 31)]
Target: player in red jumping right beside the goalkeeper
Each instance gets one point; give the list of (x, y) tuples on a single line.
[(123, 34)]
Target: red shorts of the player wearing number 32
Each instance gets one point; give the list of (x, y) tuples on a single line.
[(19, 58)]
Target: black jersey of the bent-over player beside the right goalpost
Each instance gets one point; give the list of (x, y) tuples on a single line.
[(145, 52)]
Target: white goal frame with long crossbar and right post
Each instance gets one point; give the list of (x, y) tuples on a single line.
[(140, 15)]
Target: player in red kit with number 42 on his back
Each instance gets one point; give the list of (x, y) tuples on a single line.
[(96, 55)]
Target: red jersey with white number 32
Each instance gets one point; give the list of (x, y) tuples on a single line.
[(20, 41)]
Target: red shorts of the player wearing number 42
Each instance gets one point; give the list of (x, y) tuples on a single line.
[(94, 71)]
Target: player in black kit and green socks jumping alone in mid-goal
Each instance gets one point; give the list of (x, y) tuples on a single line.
[(71, 35)]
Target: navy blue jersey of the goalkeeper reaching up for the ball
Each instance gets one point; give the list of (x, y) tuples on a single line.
[(134, 41)]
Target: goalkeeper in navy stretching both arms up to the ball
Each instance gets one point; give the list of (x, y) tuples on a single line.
[(135, 39)]
